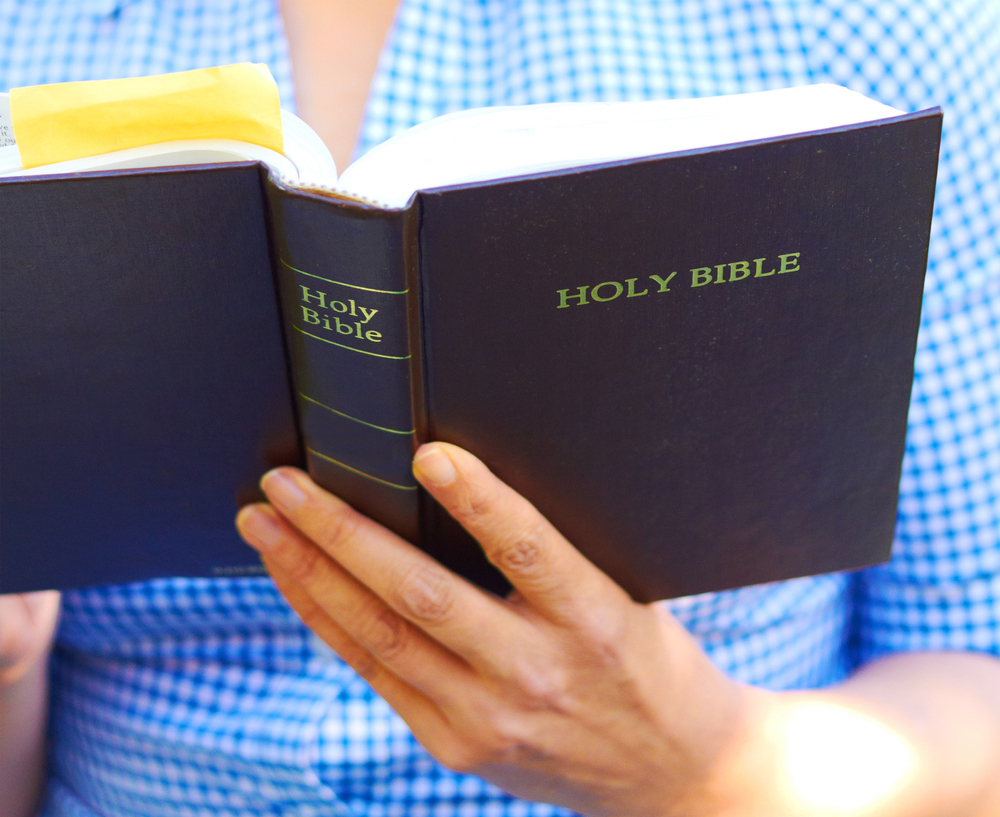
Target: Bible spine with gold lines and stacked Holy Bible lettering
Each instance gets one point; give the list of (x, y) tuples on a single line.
[(342, 278)]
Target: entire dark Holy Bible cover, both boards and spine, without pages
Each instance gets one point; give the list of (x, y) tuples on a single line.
[(697, 365)]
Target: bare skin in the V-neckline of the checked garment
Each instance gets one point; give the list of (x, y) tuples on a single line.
[(334, 47)]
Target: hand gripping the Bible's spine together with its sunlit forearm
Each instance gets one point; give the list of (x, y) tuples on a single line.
[(569, 692)]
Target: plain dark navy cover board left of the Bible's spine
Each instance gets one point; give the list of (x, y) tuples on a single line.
[(144, 382)]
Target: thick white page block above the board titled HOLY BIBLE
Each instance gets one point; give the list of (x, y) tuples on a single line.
[(493, 143)]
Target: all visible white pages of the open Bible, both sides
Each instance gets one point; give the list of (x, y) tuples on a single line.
[(493, 143)]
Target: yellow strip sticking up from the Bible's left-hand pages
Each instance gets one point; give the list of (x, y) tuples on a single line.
[(55, 123)]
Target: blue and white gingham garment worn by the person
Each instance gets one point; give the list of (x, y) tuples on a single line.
[(209, 697)]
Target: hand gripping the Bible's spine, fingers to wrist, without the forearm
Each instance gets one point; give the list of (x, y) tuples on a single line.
[(562, 692)]
